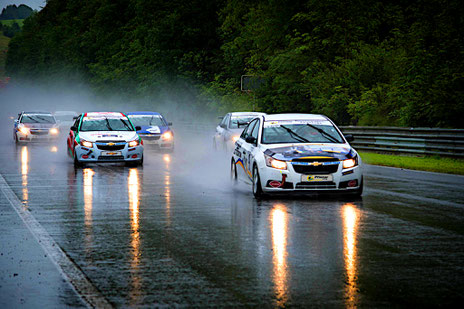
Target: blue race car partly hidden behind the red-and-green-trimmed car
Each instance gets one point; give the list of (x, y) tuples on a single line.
[(155, 130)]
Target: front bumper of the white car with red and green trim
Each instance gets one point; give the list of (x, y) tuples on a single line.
[(95, 155)]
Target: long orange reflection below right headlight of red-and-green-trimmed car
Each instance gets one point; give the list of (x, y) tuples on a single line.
[(133, 188)]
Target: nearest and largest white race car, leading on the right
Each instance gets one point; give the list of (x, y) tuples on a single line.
[(296, 152)]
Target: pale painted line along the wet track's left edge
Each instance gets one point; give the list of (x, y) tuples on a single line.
[(70, 271)]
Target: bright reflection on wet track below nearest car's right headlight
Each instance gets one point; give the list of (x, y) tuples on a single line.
[(350, 215)]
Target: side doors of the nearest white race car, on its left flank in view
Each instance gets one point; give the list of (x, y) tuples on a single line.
[(243, 149)]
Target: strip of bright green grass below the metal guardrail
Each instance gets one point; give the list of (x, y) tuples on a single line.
[(431, 164)]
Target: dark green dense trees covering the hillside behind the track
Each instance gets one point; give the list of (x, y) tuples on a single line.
[(368, 62)]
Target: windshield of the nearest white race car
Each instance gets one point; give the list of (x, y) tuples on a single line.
[(300, 131)]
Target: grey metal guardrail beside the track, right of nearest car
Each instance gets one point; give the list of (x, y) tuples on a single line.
[(412, 141)]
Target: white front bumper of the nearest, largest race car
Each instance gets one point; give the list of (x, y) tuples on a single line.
[(342, 180)]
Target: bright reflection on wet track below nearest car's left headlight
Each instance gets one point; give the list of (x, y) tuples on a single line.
[(279, 226)]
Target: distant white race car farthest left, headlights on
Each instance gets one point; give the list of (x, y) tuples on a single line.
[(35, 126)]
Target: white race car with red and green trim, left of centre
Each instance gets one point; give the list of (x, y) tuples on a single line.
[(104, 137)]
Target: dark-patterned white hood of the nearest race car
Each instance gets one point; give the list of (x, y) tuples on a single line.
[(287, 153)]
